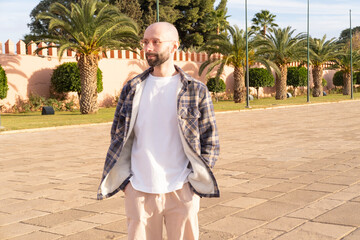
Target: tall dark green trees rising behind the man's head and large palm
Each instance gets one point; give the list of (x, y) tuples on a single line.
[(189, 17)]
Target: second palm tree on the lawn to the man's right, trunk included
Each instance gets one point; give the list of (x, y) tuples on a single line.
[(276, 51)]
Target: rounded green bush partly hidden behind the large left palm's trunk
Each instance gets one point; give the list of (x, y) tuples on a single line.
[(66, 78)]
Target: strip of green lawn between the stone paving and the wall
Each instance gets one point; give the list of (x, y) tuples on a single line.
[(30, 120)]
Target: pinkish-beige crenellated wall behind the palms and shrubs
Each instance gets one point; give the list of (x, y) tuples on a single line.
[(29, 73)]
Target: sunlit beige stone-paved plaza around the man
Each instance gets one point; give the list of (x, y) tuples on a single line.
[(288, 173)]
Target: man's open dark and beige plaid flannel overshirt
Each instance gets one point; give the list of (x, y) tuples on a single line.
[(196, 121)]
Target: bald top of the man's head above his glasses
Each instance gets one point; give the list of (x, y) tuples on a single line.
[(162, 30)]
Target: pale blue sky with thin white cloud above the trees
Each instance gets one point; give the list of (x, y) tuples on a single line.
[(328, 17)]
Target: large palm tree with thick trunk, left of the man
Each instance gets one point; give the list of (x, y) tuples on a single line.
[(89, 28)]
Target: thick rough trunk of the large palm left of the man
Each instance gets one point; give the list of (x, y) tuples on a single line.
[(88, 68)]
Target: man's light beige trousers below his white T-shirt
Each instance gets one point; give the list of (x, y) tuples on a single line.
[(147, 212)]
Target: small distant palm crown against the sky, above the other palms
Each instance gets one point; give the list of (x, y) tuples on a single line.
[(262, 21)]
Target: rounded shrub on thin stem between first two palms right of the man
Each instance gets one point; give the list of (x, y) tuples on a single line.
[(260, 77)]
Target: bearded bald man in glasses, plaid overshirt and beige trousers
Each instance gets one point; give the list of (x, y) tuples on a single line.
[(163, 144)]
